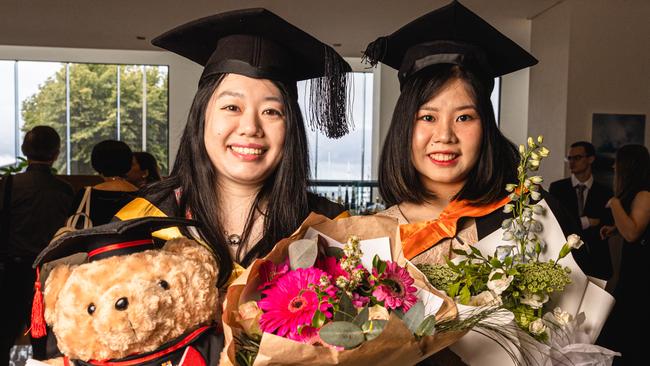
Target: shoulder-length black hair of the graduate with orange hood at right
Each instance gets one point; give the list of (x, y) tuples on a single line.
[(496, 166)]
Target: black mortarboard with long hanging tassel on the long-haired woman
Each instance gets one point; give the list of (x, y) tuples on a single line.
[(259, 44)]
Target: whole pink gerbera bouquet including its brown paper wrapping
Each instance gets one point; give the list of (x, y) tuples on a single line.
[(315, 301)]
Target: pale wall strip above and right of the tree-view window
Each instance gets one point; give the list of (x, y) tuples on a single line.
[(183, 75)]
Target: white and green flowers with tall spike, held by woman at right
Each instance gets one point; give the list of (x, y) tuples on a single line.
[(516, 276)]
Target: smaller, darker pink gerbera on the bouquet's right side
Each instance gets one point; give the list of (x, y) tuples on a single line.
[(396, 288)]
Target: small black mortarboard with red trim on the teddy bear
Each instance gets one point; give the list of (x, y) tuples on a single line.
[(114, 238)]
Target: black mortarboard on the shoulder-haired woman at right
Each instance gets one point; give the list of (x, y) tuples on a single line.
[(449, 35)]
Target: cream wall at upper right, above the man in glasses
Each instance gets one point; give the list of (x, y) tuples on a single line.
[(594, 58)]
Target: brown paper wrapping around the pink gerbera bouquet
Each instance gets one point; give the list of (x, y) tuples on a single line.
[(396, 345)]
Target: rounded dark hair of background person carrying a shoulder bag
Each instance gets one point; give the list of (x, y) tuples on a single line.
[(111, 158)]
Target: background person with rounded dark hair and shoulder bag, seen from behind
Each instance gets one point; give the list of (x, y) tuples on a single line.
[(112, 160)]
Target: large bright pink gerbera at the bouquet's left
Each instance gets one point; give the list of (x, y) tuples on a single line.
[(290, 304)]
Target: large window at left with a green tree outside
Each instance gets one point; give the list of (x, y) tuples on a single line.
[(86, 103)]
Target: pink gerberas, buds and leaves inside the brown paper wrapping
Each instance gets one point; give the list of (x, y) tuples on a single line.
[(330, 300)]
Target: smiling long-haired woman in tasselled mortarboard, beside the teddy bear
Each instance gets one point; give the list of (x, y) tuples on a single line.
[(242, 168)]
